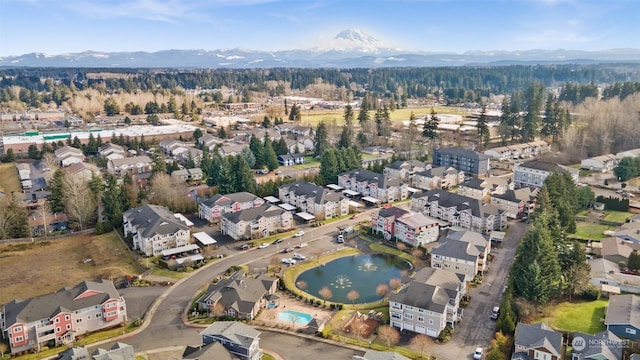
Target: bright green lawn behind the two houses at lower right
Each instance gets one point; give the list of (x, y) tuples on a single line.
[(583, 316)]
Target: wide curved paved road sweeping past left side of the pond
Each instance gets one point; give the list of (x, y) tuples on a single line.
[(163, 326)]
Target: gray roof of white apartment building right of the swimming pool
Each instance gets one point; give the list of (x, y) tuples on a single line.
[(430, 297)]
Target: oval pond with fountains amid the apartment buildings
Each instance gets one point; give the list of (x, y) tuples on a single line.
[(362, 273)]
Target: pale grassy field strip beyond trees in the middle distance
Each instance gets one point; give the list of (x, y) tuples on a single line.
[(314, 117)]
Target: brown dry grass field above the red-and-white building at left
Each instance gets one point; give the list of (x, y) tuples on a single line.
[(34, 269)]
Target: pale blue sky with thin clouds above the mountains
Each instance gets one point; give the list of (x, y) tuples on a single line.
[(62, 26)]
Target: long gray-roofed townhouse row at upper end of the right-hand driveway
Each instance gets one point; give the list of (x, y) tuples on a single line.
[(460, 211)]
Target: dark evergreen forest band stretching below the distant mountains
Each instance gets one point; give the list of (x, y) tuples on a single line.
[(458, 84)]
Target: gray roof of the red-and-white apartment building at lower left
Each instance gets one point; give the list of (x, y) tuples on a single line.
[(63, 300)]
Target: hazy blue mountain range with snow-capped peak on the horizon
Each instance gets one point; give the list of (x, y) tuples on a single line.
[(350, 48)]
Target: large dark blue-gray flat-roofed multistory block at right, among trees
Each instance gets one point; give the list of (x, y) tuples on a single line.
[(470, 162)]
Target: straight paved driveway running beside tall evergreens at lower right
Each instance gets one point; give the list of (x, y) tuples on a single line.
[(476, 329)]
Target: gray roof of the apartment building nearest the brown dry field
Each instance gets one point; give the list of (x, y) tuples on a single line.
[(150, 220)]
